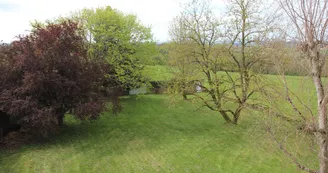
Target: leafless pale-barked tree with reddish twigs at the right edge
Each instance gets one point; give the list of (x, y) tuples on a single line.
[(310, 19)]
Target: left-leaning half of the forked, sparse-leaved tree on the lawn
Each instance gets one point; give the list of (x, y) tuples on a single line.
[(198, 30)]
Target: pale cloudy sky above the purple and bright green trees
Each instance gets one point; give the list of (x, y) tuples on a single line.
[(17, 14)]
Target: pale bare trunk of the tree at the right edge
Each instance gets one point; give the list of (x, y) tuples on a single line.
[(322, 114)]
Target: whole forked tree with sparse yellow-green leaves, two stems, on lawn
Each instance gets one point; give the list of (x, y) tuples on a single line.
[(223, 51)]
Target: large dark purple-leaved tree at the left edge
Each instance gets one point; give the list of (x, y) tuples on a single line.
[(47, 73)]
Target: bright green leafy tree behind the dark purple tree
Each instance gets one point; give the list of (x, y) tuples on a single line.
[(121, 39)]
